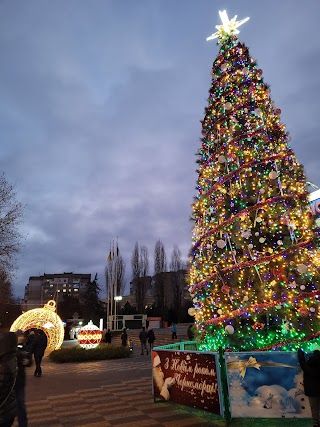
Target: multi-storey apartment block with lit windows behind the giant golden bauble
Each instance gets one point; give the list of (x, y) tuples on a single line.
[(41, 289)]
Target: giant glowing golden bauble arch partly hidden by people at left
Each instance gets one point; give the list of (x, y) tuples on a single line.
[(44, 318)]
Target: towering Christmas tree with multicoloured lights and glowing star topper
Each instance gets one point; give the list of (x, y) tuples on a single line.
[(253, 279)]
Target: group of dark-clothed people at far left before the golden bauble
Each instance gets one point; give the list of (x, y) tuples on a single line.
[(15, 355)]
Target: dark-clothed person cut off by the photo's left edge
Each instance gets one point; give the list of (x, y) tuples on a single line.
[(8, 371)]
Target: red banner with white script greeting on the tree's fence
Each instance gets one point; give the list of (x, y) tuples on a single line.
[(187, 378)]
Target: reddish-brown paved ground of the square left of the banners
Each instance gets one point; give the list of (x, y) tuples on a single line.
[(101, 394)]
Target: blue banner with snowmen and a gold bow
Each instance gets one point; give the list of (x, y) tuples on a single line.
[(266, 385)]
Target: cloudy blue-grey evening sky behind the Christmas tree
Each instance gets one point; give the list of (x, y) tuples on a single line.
[(100, 110)]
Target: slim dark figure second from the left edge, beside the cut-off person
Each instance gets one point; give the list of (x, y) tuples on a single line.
[(24, 359)]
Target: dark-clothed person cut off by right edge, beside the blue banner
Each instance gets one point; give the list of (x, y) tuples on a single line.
[(311, 381)]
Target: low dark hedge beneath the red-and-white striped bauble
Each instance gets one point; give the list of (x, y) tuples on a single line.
[(79, 354)]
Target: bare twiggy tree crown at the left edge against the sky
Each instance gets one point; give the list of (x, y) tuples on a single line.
[(11, 213)]
